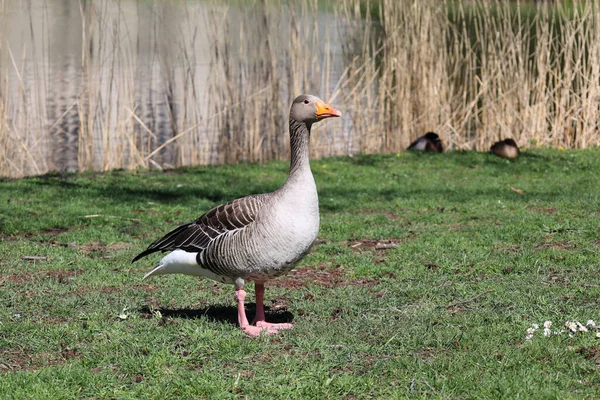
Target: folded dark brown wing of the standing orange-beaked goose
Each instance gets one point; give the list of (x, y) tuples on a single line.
[(196, 236)]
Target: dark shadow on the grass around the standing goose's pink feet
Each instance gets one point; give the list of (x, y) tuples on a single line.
[(218, 313)]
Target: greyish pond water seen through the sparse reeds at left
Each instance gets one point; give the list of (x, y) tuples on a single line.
[(105, 84)]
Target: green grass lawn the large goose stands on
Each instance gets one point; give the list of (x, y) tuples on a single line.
[(427, 273)]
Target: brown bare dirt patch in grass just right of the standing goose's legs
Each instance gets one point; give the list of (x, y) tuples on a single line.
[(320, 276)]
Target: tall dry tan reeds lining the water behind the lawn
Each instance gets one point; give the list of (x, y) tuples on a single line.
[(173, 83)]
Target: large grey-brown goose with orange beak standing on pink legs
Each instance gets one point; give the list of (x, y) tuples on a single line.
[(258, 237)]
